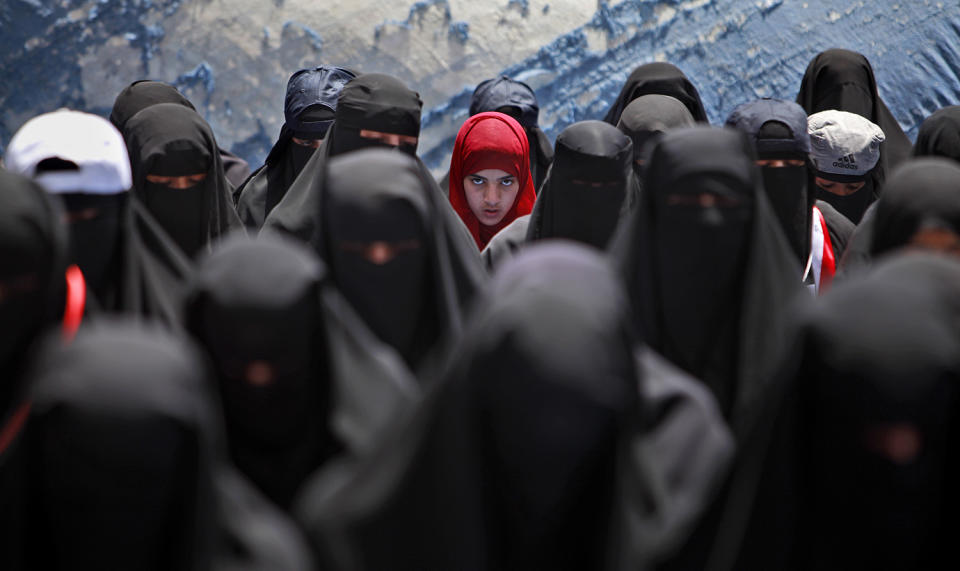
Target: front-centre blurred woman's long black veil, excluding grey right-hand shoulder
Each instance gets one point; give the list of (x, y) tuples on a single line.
[(494, 481)]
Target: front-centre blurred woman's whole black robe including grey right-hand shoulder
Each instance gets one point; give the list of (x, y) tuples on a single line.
[(542, 446)]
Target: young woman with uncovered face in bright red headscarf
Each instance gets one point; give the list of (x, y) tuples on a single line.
[(490, 183)]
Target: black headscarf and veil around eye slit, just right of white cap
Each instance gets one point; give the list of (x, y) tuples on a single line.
[(171, 140)]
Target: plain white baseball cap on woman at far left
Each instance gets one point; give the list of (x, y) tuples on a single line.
[(87, 141)]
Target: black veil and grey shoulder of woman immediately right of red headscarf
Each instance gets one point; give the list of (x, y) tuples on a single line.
[(589, 188)]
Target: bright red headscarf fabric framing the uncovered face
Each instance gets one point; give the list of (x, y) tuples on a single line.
[(491, 140)]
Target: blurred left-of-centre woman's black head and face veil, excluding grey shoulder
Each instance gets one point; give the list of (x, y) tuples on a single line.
[(256, 308)]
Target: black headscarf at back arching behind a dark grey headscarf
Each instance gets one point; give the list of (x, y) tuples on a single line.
[(661, 78)]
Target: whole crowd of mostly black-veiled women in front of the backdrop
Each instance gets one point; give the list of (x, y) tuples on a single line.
[(654, 344)]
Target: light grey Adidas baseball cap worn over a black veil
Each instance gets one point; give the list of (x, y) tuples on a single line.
[(843, 146)]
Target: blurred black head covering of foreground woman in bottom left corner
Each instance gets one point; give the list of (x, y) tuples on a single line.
[(124, 463)]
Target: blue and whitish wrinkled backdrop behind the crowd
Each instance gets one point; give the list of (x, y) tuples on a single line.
[(233, 57)]
